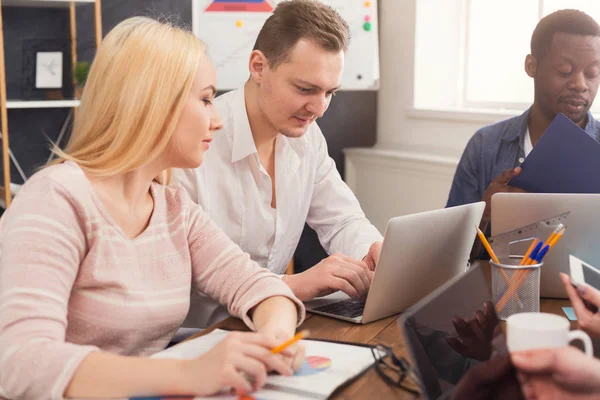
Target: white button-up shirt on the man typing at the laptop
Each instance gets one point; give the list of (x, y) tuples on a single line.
[(234, 188)]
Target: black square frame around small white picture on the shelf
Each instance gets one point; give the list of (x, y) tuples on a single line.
[(46, 69)]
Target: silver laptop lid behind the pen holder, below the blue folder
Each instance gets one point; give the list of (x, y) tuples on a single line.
[(514, 210)]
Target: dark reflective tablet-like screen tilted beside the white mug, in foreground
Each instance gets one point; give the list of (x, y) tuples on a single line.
[(430, 332)]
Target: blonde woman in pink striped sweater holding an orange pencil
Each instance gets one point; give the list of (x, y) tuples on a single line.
[(98, 255)]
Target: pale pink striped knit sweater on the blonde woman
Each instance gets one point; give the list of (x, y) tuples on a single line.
[(72, 283)]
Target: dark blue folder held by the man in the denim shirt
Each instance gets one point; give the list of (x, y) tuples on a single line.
[(565, 160)]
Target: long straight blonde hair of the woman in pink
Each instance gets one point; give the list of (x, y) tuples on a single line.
[(133, 97)]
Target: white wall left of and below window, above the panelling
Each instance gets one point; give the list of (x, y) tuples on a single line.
[(398, 126)]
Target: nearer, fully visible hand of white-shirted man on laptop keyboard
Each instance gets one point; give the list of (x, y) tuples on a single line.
[(336, 272)]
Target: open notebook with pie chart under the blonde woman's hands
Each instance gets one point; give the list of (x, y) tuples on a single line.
[(327, 366)]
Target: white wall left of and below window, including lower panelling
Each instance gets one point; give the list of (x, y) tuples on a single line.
[(412, 165)]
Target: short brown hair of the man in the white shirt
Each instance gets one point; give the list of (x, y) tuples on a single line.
[(293, 20)]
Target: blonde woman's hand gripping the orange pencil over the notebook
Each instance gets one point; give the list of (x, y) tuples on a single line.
[(240, 362)]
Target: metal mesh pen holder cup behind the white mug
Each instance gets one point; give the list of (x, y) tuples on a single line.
[(515, 288)]
